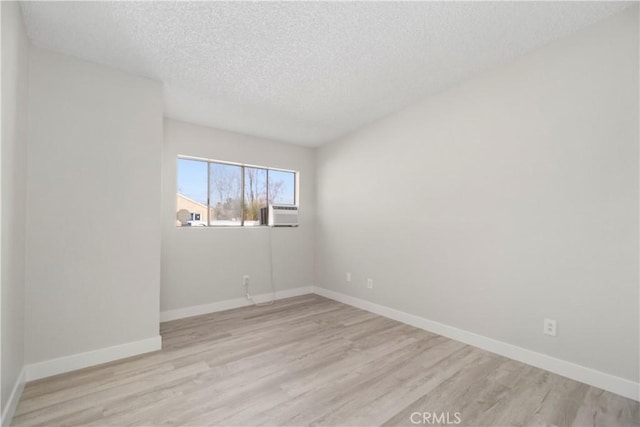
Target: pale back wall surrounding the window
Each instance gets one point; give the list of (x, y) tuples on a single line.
[(206, 265)]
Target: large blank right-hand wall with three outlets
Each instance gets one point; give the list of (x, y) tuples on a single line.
[(510, 198)]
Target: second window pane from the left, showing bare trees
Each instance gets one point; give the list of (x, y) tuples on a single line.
[(225, 194)]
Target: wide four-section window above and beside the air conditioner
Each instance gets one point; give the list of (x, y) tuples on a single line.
[(214, 193)]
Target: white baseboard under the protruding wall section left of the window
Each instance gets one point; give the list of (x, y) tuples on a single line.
[(73, 362)]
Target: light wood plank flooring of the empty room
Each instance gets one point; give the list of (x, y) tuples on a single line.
[(312, 361)]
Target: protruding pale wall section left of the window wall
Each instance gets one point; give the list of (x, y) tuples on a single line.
[(93, 220)]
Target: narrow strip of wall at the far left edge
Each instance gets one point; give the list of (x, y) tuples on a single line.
[(15, 53)]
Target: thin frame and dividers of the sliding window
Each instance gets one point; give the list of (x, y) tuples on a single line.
[(296, 178)]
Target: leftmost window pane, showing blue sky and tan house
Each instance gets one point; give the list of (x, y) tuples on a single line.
[(191, 206)]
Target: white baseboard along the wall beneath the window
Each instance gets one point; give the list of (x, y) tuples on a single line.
[(196, 310)]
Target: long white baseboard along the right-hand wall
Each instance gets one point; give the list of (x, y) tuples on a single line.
[(612, 383)]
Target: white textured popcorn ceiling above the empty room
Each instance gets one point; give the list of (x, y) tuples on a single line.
[(302, 72)]
